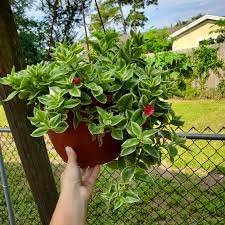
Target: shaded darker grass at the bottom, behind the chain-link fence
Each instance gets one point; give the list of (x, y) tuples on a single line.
[(179, 199)]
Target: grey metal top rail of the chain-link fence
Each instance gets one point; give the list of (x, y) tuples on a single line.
[(197, 136)]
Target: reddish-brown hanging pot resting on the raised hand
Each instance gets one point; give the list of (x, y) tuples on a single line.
[(88, 151)]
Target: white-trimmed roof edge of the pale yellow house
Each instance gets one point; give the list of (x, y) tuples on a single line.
[(195, 23)]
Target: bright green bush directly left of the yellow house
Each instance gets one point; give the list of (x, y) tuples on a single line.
[(157, 40)]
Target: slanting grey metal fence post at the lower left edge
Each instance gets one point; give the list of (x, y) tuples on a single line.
[(6, 190)]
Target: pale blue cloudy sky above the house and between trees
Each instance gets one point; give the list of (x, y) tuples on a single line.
[(170, 11)]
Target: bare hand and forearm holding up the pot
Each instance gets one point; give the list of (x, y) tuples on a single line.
[(76, 189)]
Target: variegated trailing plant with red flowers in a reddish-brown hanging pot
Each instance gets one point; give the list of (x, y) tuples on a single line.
[(115, 105)]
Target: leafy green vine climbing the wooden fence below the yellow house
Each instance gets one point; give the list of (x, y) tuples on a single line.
[(204, 60)]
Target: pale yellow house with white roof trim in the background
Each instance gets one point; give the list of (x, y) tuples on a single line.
[(199, 30)]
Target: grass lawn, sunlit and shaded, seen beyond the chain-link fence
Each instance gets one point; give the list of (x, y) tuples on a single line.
[(183, 193)]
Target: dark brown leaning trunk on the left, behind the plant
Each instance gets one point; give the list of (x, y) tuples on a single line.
[(32, 151)]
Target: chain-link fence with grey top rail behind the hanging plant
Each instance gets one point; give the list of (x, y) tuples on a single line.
[(191, 191)]
